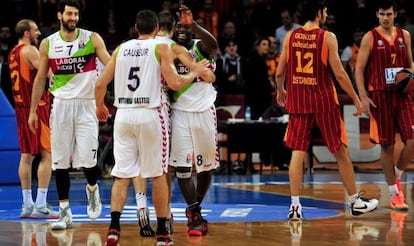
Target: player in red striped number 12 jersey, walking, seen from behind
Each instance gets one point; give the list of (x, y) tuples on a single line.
[(309, 54)]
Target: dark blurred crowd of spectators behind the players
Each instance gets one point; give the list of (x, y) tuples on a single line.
[(249, 32)]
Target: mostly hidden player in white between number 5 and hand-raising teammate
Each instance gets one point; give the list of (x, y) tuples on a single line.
[(164, 35)]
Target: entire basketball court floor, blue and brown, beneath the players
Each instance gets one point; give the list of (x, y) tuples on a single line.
[(241, 210)]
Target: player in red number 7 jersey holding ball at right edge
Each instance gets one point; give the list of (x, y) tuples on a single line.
[(384, 51)]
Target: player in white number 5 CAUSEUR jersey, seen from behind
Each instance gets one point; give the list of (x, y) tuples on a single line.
[(141, 69)]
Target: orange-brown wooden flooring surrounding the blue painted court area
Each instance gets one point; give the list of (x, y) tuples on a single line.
[(381, 227)]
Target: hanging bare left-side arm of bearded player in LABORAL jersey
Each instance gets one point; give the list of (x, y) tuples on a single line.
[(39, 84)]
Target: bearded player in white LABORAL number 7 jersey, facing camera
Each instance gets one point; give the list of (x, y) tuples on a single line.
[(71, 55)]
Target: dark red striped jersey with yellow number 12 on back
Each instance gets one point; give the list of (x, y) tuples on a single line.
[(309, 83)]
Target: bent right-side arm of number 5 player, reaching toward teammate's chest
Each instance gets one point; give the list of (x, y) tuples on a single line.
[(168, 70)]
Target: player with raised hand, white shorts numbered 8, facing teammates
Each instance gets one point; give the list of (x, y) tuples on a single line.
[(194, 124)]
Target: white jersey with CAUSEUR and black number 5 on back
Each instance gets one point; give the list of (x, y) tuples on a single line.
[(138, 81)]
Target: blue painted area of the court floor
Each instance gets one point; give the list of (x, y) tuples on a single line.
[(230, 199)]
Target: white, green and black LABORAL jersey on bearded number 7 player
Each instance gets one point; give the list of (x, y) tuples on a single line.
[(74, 66)]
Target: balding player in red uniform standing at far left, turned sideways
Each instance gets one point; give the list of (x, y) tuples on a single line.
[(23, 63)]
